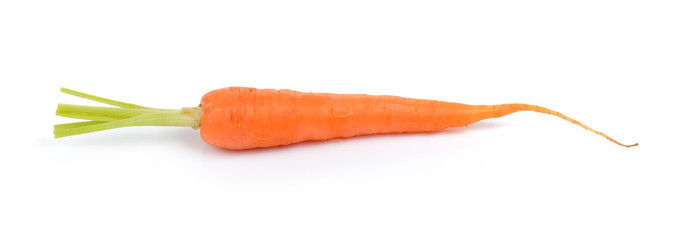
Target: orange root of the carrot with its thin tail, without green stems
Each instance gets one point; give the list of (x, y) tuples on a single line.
[(244, 118)]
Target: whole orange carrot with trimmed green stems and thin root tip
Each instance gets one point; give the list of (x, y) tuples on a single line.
[(245, 118)]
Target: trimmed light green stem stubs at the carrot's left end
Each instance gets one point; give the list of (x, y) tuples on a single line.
[(122, 115)]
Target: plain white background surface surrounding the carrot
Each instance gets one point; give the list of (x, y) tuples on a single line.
[(618, 66)]
